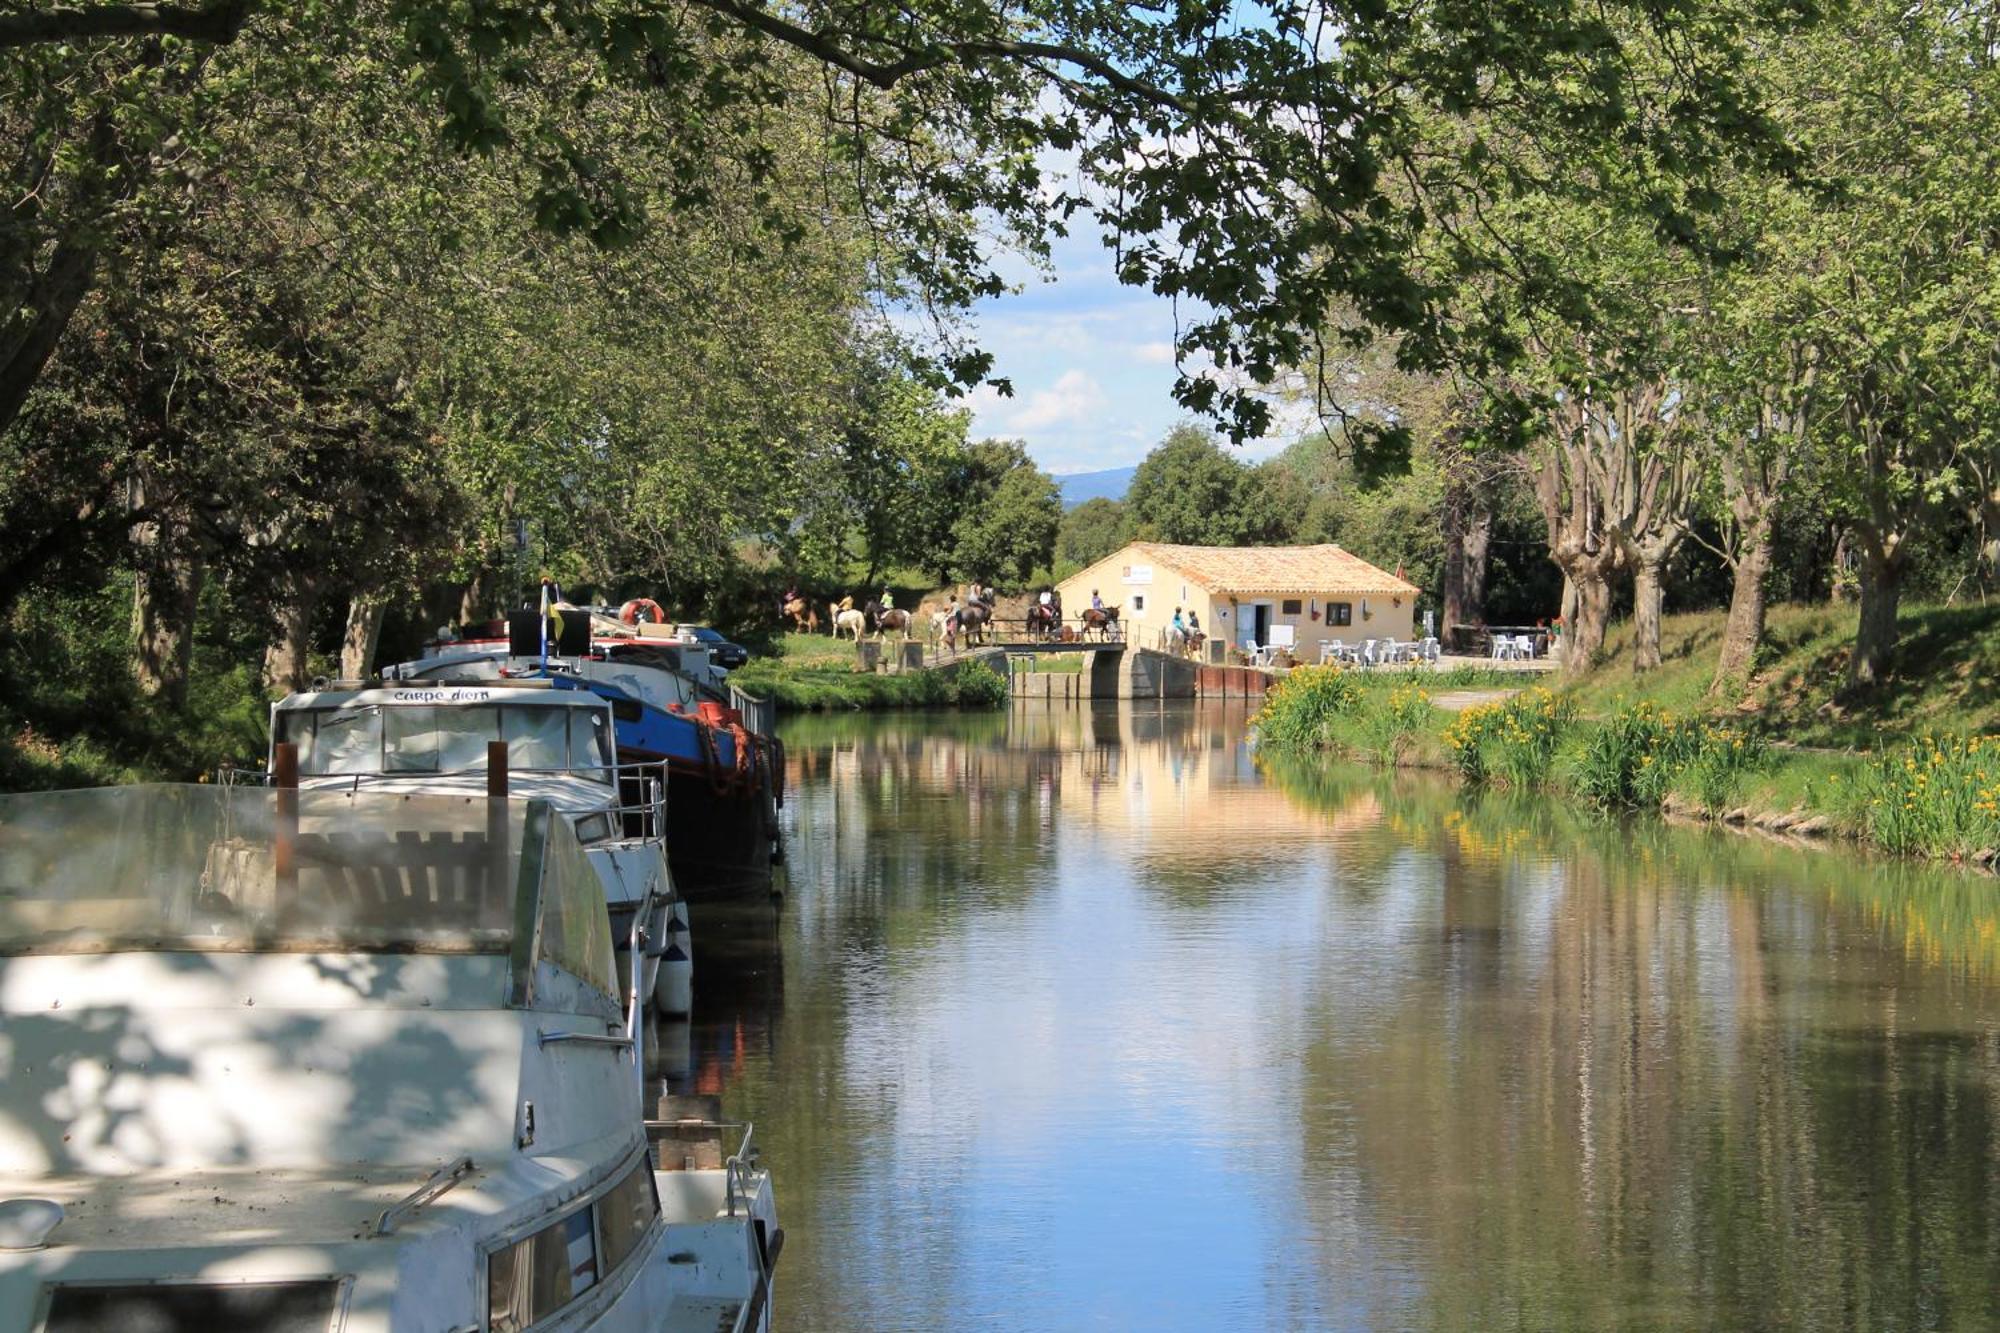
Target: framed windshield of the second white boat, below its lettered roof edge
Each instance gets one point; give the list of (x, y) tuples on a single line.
[(423, 738)]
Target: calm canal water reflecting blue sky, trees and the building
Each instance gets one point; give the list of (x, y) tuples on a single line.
[(1081, 1020)]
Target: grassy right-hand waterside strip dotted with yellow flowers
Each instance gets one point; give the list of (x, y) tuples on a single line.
[(1927, 796)]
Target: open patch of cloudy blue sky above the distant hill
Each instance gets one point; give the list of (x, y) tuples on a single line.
[(1091, 361)]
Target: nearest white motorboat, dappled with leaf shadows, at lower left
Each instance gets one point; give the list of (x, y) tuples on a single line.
[(343, 1062)]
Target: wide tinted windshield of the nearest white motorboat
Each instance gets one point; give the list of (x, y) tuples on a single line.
[(235, 870)]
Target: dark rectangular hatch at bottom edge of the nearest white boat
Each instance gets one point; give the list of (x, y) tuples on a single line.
[(189, 1306)]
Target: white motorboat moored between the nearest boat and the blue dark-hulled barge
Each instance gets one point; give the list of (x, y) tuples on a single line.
[(555, 746)]
